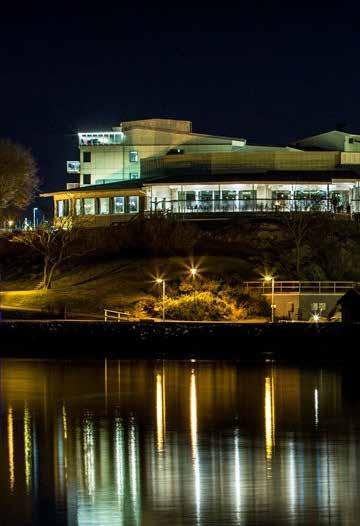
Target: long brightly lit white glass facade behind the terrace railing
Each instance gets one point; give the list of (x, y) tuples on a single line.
[(339, 197)]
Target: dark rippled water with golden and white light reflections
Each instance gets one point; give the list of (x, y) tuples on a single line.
[(177, 443)]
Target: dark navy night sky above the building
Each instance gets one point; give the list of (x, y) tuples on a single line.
[(267, 72)]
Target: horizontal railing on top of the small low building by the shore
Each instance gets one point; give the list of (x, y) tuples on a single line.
[(315, 287)]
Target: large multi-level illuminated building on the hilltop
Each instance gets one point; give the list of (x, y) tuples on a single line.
[(161, 165)]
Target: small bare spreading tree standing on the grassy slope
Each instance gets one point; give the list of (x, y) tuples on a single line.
[(55, 244)]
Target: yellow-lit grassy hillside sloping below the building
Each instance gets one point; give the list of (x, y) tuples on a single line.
[(118, 284)]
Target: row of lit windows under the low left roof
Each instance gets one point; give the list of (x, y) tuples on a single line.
[(98, 206)]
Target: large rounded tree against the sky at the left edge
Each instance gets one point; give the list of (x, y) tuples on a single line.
[(18, 179)]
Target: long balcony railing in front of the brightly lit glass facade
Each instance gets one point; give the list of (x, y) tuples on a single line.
[(247, 205)]
